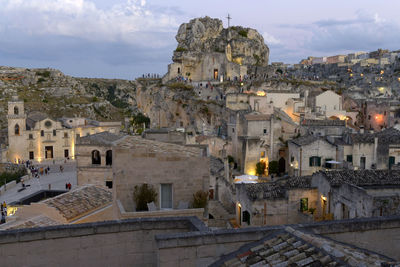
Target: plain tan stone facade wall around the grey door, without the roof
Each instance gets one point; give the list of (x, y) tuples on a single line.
[(186, 174)]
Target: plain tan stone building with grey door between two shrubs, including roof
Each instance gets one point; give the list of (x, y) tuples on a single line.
[(176, 172)]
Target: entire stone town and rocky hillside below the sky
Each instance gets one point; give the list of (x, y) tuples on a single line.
[(226, 160)]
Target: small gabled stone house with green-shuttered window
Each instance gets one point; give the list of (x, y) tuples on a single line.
[(309, 154)]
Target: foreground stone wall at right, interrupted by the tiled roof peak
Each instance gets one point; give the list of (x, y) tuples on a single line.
[(202, 249)]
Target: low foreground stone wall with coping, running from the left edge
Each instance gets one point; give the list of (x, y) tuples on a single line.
[(113, 243)]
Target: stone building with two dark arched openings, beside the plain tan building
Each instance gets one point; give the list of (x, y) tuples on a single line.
[(94, 158)]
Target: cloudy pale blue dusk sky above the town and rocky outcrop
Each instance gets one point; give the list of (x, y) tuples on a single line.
[(126, 38)]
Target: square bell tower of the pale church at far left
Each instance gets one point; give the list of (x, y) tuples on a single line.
[(16, 127)]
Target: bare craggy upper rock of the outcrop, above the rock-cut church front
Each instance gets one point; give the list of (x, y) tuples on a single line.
[(206, 35)]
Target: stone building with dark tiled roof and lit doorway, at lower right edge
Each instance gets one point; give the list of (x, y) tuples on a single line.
[(358, 194)]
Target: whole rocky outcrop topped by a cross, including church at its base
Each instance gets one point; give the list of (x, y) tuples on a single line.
[(208, 51)]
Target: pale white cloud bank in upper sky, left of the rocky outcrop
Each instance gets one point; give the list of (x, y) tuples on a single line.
[(124, 22)]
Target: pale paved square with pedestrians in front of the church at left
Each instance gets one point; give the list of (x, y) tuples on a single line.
[(56, 179)]
